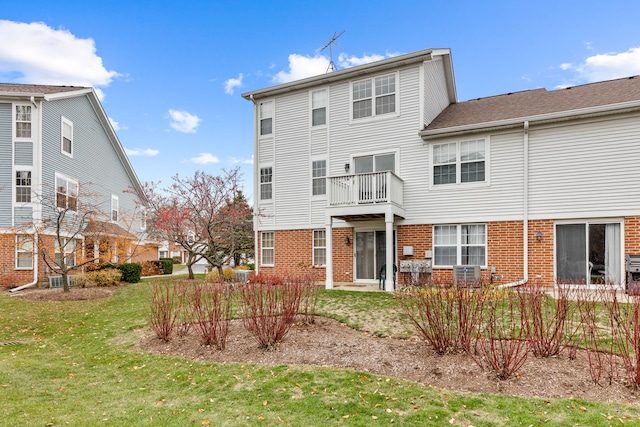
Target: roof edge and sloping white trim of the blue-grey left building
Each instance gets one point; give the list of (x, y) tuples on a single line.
[(50, 92)]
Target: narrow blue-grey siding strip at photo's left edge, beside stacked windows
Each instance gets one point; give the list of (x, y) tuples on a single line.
[(5, 166)]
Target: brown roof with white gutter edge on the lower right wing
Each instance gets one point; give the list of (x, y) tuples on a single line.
[(536, 105)]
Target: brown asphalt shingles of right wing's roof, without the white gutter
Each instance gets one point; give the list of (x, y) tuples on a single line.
[(537, 102)]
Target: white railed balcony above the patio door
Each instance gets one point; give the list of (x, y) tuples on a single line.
[(365, 195)]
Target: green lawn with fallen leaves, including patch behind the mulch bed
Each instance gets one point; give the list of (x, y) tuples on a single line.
[(76, 363)]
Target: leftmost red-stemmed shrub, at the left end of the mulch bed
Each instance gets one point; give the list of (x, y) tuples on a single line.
[(164, 309)]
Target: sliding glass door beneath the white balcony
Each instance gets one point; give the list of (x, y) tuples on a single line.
[(371, 253)]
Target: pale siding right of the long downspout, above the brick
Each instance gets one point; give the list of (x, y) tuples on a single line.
[(588, 169)]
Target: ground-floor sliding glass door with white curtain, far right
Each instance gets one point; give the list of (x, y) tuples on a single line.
[(588, 253)]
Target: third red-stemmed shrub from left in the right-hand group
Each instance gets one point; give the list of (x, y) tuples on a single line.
[(550, 322)]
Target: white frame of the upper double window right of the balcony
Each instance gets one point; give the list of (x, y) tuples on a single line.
[(458, 163)]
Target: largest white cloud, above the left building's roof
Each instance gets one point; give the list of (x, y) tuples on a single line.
[(39, 54)]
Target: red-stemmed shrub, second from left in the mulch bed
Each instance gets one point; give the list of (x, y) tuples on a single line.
[(211, 313)]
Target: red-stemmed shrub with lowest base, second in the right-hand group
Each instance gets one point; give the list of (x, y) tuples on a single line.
[(503, 348)]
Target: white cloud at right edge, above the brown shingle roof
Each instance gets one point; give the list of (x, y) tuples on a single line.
[(607, 66)]
